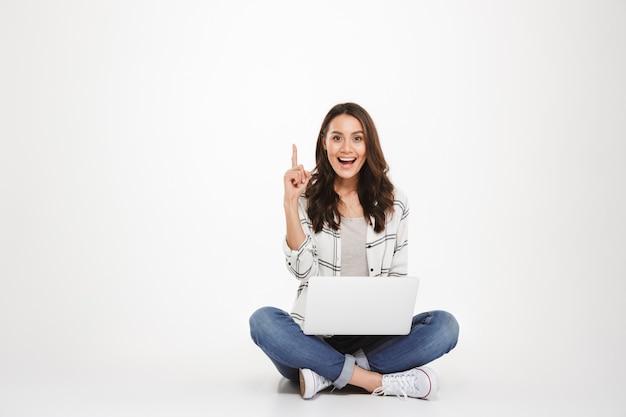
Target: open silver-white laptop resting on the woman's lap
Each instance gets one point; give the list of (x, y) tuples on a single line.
[(360, 305)]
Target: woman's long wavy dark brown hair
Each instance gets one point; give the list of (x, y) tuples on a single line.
[(374, 188)]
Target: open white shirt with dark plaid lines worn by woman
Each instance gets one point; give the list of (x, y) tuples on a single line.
[(320, 253)]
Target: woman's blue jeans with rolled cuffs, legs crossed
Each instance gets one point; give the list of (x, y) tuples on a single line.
[(432, 335)]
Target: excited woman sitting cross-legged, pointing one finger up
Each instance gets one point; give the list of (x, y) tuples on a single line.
[(346, 218)]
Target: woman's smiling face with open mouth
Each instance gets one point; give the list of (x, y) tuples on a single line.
[(344, 143)]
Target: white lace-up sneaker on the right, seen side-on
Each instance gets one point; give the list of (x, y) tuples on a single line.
[(417, 383)]
